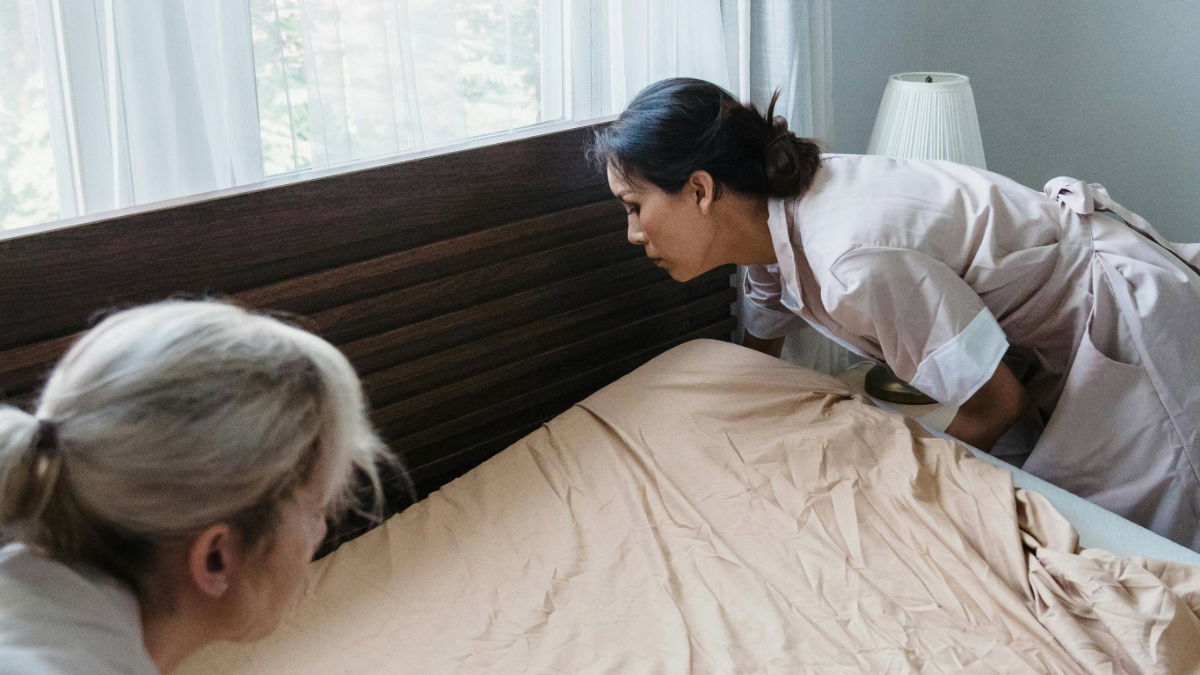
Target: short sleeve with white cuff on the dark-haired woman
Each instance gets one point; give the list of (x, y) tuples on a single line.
[(933, 328)]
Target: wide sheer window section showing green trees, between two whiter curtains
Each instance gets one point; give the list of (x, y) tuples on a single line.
[(389, 76)]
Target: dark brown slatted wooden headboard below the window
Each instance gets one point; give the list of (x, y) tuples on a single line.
[(478, 294)]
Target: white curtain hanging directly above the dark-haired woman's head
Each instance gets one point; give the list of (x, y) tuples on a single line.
[(751, 47)]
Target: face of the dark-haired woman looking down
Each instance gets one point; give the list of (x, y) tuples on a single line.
[(675, 230)]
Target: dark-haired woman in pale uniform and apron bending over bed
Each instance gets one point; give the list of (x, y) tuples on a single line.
[(940, 271)]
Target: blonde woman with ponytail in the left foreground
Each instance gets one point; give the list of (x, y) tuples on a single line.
[(171, 489)]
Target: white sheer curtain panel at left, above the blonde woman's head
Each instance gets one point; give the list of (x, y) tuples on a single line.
[(148, 100)]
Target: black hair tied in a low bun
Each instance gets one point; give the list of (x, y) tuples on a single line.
[(682, 126)]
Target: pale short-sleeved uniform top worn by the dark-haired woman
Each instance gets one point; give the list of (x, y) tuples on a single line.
[(913, 262)]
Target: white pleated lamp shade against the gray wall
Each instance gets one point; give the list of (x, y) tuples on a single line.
[(928, 121)]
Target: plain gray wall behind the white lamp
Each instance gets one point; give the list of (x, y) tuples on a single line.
[(1103, 91)]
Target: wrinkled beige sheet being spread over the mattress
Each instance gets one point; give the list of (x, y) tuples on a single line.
[(721, 512)]
